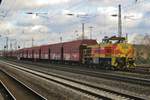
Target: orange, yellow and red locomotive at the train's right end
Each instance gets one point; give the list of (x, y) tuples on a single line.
[(113, 52)]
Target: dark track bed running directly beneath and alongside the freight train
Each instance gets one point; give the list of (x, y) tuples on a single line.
[(141, 72)]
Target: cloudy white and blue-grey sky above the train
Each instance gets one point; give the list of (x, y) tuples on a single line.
[(47, 28)]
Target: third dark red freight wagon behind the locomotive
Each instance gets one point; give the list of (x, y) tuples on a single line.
[(45, 52)]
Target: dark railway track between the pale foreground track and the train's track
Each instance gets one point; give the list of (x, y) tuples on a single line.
[(110, 76)]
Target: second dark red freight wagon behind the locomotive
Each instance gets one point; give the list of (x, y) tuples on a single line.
[(56, 51)]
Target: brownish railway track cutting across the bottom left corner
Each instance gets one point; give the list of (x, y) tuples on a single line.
[(18, 90)]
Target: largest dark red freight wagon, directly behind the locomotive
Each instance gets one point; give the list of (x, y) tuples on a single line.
[(73, 50)]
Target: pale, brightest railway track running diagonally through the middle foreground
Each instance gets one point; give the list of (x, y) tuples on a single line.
[(85, 88)]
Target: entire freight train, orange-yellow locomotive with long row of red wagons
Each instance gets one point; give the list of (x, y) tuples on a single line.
[(111, 53)]
